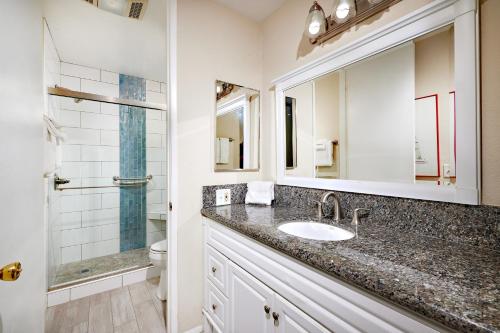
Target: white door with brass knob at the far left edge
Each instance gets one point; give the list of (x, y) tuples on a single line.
[(21, 165)]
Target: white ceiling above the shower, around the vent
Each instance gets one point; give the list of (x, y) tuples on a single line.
[(86, 35)]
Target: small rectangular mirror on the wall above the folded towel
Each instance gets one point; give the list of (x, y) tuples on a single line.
[(236, 128)]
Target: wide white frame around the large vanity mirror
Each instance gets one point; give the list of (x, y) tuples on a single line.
[(463, 15)]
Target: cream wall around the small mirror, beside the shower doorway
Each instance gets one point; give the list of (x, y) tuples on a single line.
[(214, 43)]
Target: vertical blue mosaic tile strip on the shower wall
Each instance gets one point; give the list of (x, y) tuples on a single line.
[(132, 164)]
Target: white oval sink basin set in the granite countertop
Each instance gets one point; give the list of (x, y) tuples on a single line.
[(317, 231)]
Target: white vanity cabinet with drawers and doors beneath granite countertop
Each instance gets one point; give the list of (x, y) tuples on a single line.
[(250, 287)]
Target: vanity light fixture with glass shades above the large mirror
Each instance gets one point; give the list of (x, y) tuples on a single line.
[(345, 14)]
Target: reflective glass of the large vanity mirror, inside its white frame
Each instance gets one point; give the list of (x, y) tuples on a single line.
[(389, 117)]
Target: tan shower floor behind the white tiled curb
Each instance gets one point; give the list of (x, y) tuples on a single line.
[(91, 269)]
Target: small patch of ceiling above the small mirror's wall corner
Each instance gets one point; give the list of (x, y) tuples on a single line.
[(256, 10)]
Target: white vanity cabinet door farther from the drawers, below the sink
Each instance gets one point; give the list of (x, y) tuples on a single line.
[(292, 320)]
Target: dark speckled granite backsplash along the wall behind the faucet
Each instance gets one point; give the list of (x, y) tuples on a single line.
[(475, 225)]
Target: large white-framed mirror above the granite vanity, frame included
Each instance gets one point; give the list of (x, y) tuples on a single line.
[(394, 113)]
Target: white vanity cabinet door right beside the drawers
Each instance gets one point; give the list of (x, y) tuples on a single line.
[(250, 303)]
